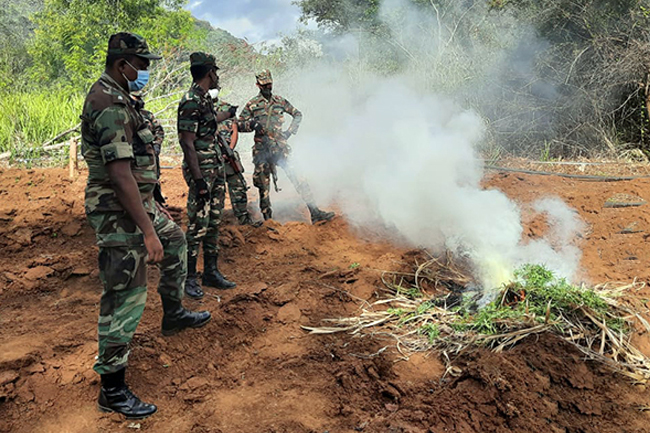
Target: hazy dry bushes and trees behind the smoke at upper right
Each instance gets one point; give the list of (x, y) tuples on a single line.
[(554, 77)]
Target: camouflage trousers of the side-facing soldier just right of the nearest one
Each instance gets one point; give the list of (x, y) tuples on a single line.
[(204, 217)]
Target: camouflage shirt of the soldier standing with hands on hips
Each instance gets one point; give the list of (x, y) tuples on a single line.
[(271, 114)]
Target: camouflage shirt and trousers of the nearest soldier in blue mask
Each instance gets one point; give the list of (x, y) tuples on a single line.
[(113, 129)]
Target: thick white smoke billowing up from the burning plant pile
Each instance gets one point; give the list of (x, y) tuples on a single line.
[(394, 152)]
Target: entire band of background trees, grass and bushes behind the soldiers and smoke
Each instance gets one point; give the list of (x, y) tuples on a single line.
[(551, 78)]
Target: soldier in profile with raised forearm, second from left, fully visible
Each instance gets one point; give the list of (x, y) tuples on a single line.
[(203, 170)]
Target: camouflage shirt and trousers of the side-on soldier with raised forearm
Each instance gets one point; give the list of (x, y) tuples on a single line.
[(196, 113)]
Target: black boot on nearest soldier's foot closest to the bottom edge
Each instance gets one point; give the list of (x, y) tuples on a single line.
[(115, 396)]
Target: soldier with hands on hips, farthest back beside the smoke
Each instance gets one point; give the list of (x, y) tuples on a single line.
[(271, 148)]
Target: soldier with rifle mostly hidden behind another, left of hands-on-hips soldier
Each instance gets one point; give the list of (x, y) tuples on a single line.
[(229, 131)]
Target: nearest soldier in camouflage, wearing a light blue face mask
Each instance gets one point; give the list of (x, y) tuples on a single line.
[(131, 228)]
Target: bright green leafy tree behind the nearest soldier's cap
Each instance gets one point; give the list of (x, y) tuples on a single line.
[(71, 36)]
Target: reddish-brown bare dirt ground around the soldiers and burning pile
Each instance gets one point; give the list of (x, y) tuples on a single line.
[(253, 369)]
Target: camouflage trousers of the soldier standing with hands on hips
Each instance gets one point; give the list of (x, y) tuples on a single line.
[(265, 162)]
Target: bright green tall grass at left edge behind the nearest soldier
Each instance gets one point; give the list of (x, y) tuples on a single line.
[(28, 119)]
